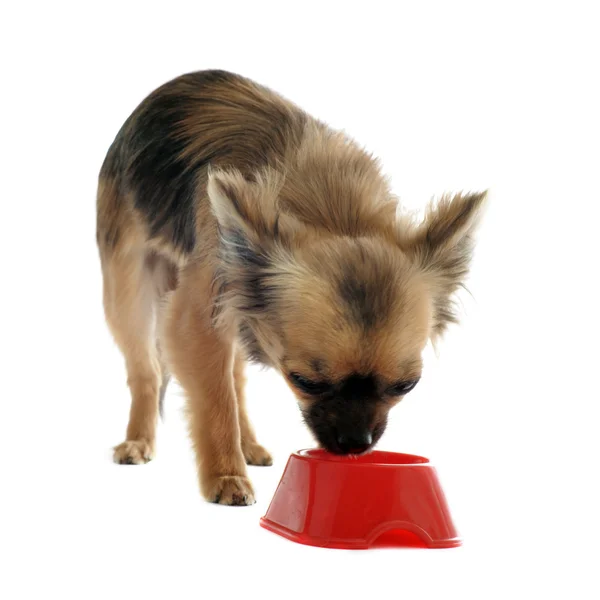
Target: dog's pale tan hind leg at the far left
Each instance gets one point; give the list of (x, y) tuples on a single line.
[(130, 304)]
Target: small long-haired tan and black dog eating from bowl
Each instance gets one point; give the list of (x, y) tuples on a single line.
[(232, 226)]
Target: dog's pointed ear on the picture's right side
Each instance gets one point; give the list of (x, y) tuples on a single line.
[(442, 247)]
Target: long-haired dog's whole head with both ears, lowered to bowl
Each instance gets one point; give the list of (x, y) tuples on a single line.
[(344, 318)]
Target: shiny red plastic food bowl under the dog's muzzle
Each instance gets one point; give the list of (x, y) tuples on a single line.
[(352, 501)]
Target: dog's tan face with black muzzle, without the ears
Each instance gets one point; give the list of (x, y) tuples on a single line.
[(352, 329)]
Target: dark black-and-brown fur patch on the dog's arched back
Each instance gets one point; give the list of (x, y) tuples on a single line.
[(161, 154)]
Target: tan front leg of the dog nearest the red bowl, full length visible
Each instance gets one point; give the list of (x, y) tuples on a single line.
[(202, 357)]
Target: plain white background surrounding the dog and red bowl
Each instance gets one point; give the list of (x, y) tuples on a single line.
[(450, 96)]
